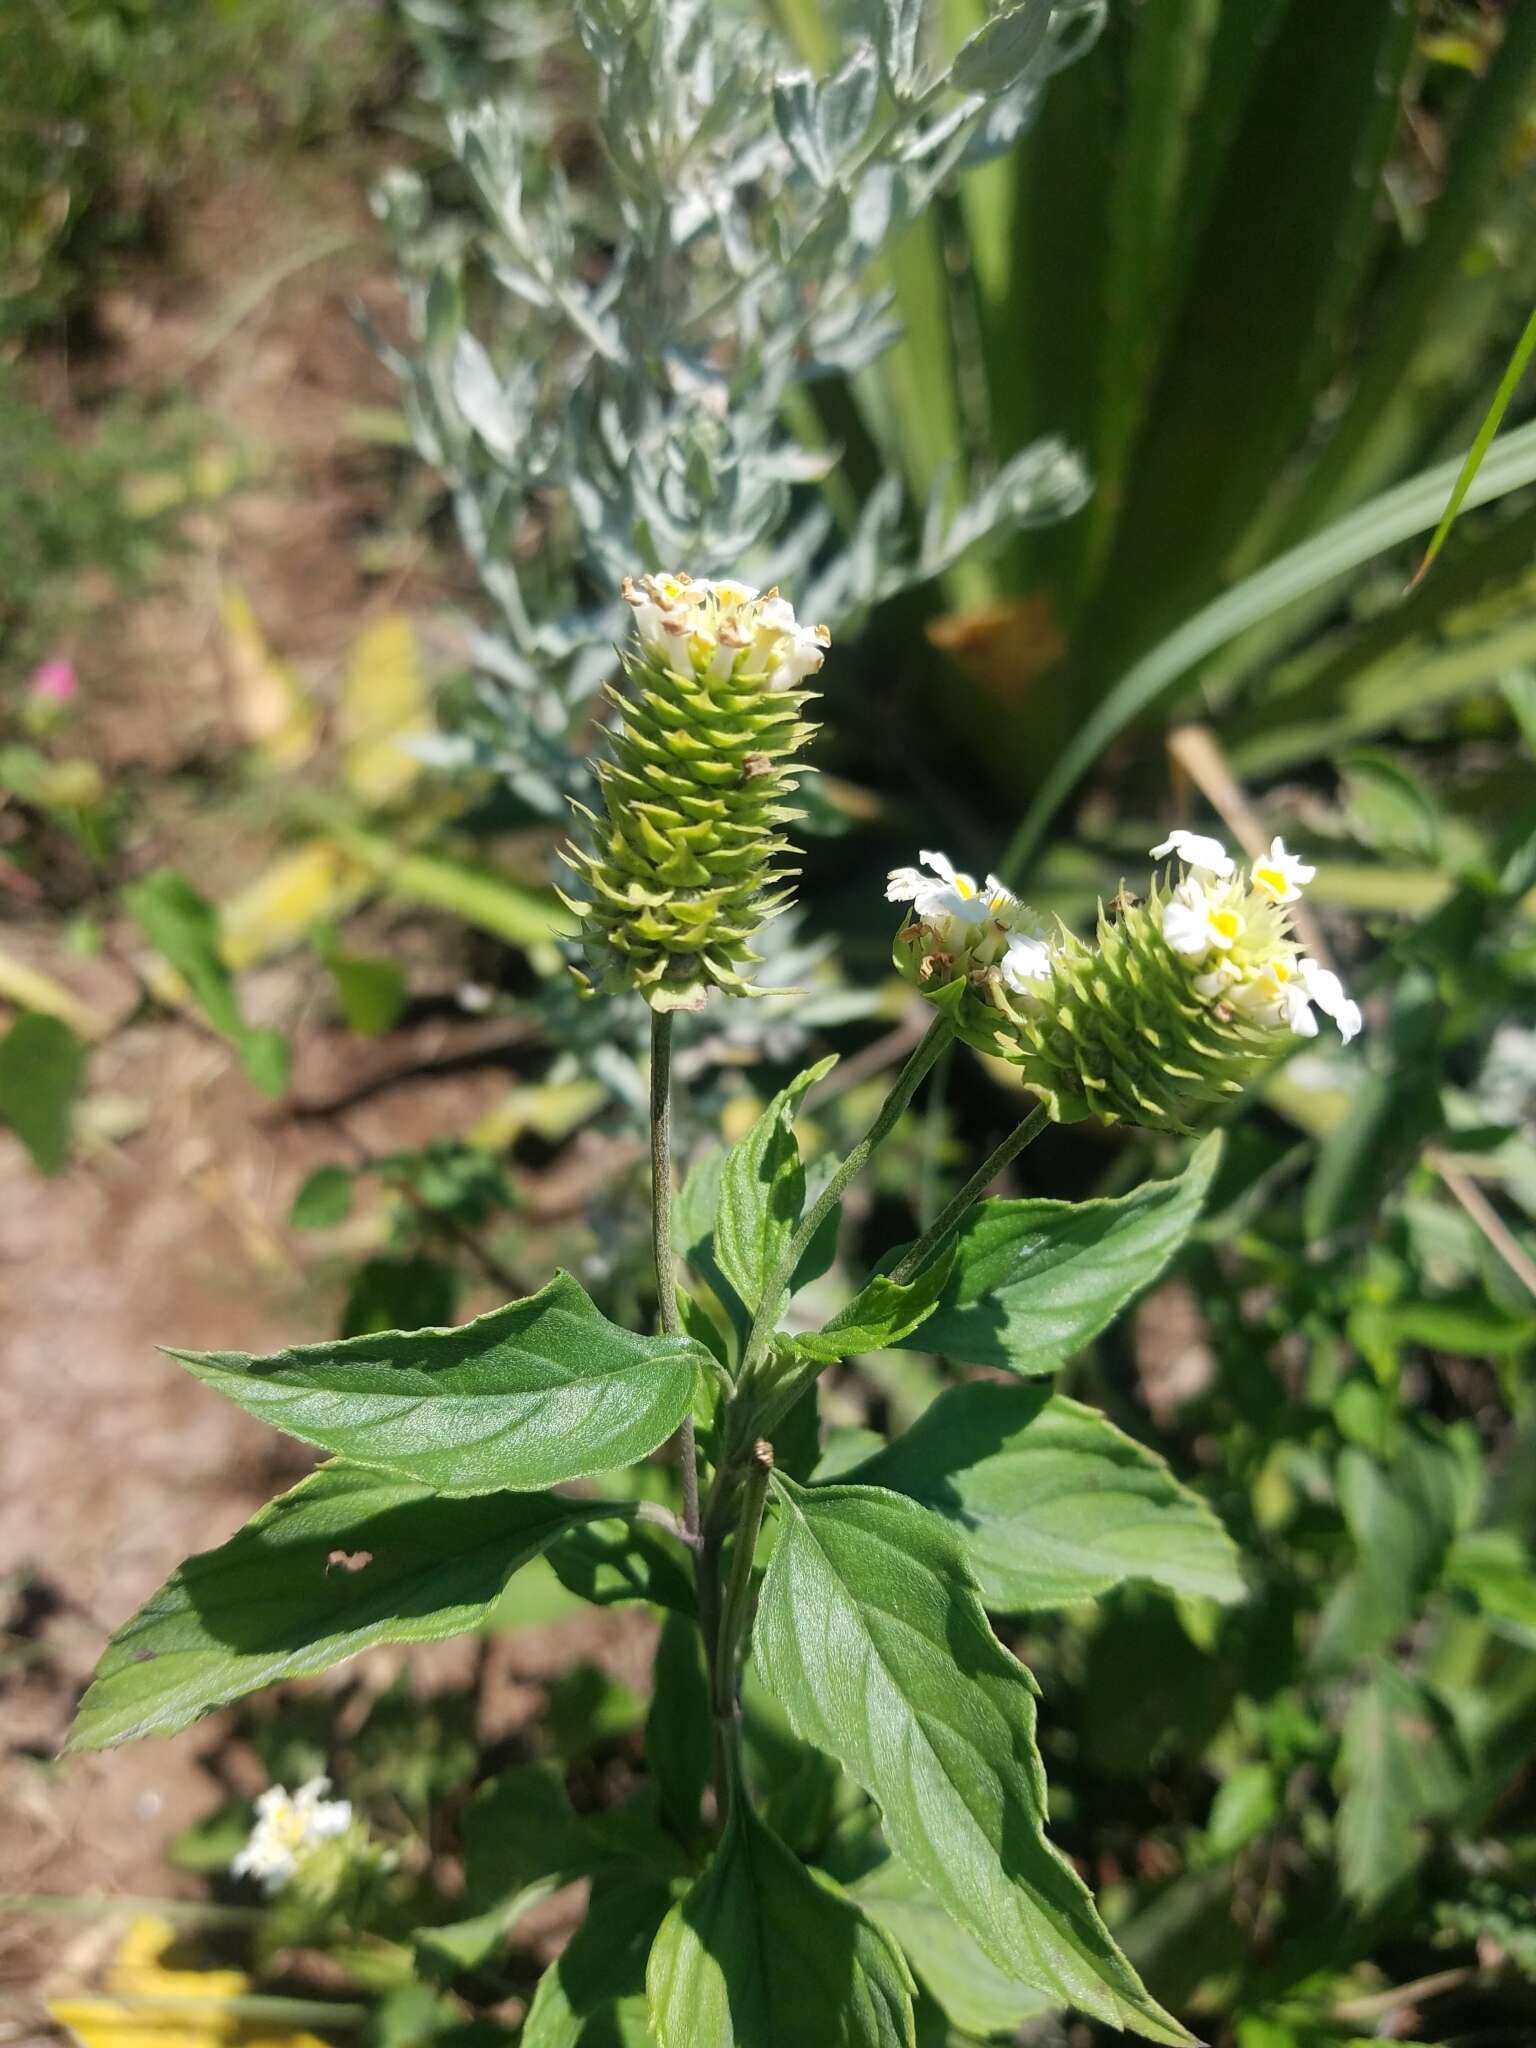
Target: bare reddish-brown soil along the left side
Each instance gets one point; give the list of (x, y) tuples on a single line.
[(112, 1463)]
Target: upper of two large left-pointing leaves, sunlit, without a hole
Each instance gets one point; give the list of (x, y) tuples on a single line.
[(540, 1392)]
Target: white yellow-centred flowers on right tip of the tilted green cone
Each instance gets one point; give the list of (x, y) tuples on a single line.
[(1234, 933)]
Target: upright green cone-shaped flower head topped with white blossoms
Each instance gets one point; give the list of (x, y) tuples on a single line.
[(687, 861)]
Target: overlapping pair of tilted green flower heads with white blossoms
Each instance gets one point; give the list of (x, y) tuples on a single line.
[(1179, 1005)]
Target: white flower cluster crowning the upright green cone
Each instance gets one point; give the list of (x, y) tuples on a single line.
[(724, 632)]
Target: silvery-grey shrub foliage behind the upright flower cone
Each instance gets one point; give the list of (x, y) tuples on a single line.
[(605, 364)]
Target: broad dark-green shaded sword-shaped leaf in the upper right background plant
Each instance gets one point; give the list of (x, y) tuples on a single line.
[(1256, 335)]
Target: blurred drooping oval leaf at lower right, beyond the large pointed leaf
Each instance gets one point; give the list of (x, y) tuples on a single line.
[(1400, 1766)]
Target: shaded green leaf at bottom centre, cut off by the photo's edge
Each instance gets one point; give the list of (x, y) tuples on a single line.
[(763, 1955)]
